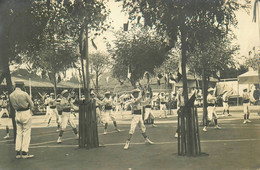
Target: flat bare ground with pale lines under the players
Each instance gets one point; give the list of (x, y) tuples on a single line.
[(235, 146)]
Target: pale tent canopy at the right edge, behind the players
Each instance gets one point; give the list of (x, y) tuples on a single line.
[(250, 77)]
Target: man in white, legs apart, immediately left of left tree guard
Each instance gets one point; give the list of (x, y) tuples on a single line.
[(66, 117)]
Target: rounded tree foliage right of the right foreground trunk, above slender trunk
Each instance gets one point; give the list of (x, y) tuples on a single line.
[(217, 55)]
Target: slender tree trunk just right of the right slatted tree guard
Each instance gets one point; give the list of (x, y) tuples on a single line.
[(205, 93)]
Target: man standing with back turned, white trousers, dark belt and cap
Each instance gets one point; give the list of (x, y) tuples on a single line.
[(23, 105)]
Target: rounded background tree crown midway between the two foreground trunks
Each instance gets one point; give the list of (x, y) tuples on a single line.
[(139, 50)]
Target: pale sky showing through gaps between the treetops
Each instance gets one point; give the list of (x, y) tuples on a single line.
[(247, 31)]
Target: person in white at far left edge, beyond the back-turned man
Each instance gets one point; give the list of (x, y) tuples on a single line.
[(4, 110)]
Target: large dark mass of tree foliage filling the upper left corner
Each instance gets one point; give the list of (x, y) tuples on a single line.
[(47, 34)]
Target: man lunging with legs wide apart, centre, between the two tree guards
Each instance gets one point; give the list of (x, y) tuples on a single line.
[(136, 104)]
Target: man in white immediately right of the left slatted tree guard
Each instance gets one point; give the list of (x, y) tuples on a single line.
[(108, 112)]
